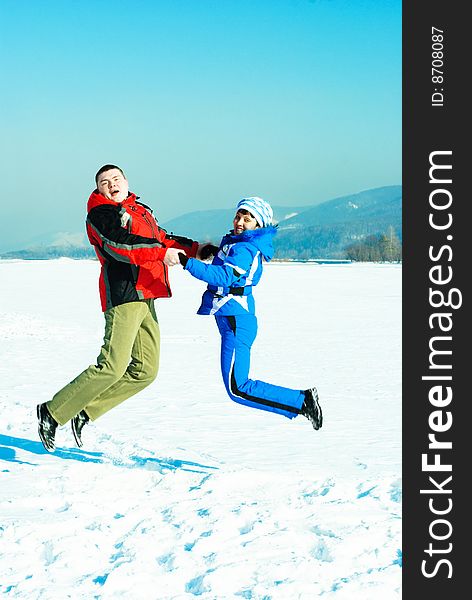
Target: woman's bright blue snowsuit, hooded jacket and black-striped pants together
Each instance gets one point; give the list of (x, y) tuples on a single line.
[(235, 270)]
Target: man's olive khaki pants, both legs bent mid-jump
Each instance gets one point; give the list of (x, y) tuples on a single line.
[(128, 362)]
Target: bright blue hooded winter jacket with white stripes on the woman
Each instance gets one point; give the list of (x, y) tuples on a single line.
[(235, 270)]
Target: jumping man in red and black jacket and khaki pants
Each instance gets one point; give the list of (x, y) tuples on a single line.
[(135, 254)]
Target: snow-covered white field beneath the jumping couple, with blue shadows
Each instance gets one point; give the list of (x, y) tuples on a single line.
[(180, 493)]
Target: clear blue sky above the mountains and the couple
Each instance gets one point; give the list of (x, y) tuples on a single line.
[(201, 102)]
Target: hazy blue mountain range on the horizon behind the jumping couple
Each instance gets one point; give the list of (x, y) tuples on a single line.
[(320, 231)]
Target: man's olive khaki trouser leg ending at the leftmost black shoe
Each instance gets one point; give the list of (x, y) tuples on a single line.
[(122, 324)]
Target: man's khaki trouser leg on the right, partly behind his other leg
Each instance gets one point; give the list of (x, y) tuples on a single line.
[(141, 371)]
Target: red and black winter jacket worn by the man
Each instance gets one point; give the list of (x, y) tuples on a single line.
[(130, 246)]
